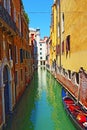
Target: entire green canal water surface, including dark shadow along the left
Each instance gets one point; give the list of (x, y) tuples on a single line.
[(41, 106)]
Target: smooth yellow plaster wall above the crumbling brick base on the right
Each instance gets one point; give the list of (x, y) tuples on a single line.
[(75, 25)]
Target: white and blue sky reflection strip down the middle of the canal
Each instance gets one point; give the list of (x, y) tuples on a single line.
[(42, 111)]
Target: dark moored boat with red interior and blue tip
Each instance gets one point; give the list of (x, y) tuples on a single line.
[(76, 112)]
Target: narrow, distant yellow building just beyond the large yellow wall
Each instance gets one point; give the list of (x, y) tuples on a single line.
[(53, 34)]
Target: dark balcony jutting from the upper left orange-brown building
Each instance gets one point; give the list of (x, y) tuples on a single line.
[(6, 21)]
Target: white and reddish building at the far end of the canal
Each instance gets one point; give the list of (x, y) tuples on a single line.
[(39, 47)]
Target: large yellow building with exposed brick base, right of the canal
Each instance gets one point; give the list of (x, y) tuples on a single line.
[(71, 46)]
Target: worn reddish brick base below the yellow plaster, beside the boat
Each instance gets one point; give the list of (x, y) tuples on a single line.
[(79, 91)]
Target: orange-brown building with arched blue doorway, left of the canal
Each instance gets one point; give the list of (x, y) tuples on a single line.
[(15, 60)]
